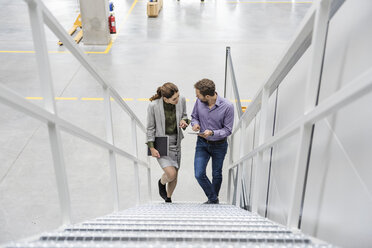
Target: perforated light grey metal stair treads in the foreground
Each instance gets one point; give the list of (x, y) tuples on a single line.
[(175, 225)]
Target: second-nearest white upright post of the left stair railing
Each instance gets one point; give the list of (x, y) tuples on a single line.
[(110, 139)]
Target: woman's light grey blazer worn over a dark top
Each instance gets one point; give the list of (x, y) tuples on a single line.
[(156, 119)]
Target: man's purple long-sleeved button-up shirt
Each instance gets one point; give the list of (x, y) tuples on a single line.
[(219, 119)]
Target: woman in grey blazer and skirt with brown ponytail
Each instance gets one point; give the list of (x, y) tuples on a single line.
[(166, 115)]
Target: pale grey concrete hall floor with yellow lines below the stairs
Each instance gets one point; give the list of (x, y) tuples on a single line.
[(185, 43)]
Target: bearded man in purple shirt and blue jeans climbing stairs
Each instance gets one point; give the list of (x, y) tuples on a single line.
[(213, 116)]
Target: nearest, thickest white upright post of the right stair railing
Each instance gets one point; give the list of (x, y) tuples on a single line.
[(313, 83)]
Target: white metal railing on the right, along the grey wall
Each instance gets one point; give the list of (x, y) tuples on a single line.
[(313, 32)]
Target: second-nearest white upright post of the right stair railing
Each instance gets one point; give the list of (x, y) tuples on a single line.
[(262, 135)]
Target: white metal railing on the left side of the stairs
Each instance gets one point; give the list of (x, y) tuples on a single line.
[(39, 15)]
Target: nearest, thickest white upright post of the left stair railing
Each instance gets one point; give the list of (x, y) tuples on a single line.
[(38, 34)]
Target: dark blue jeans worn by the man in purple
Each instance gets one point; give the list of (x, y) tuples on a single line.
[(203, 153)]
